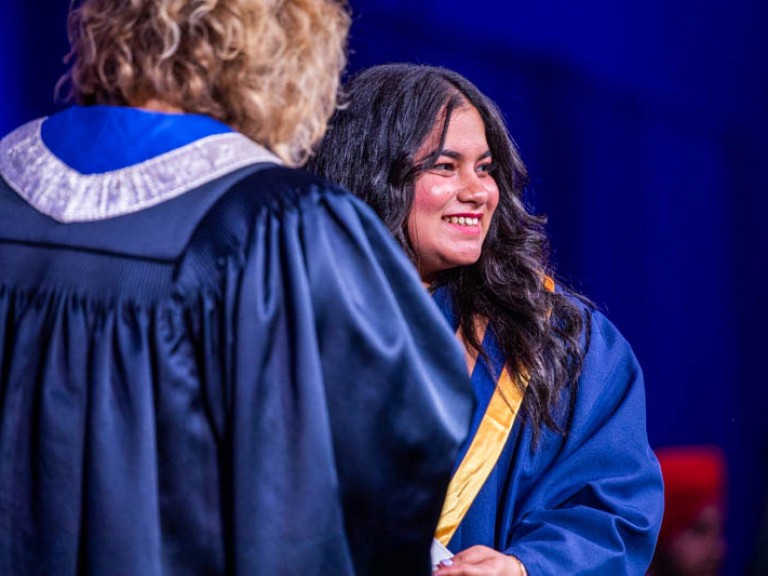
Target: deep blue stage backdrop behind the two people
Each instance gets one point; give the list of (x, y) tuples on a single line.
[(643, 125)]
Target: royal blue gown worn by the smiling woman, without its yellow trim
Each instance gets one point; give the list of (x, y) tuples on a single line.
[(589, 502)]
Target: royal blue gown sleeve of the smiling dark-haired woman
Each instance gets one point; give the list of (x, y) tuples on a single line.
[(597, 508)]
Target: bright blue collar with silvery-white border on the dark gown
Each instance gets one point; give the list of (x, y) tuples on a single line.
[(99, 162)]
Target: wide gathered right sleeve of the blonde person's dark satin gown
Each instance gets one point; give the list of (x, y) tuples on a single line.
[(347, 395)]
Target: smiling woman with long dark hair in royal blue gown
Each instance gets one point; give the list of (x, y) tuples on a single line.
[(557, 476)]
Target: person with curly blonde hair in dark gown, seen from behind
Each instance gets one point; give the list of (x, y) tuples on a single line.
[(211, 361)]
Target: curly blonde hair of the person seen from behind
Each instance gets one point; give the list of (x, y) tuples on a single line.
[(268, 68)]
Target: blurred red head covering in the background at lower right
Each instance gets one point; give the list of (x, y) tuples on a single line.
[(694, 478)]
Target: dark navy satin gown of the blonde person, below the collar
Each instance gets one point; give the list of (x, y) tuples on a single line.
[(245, 379)]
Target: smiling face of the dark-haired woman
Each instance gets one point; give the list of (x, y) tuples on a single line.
[(454, 200)]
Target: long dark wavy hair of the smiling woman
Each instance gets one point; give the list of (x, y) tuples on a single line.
[(371, 149)]
